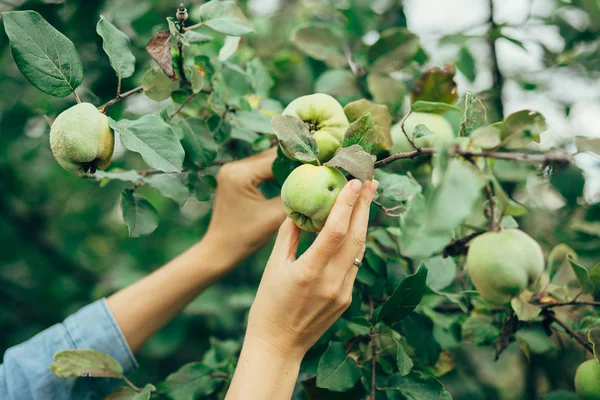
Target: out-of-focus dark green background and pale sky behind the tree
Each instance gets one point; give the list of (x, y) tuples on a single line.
[(62, 240)]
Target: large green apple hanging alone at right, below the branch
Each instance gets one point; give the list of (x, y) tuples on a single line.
[(503, 264)]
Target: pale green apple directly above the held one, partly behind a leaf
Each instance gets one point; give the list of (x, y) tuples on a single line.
[(325, 119)]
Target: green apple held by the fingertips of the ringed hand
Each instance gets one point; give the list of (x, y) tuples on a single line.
[(309, 194)]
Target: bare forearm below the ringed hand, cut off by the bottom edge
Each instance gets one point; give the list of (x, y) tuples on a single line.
[(263, 372)]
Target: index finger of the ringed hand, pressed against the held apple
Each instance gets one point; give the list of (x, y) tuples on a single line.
[(333, 234)]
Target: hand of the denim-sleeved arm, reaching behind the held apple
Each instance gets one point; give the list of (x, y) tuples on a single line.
[(243, 220)]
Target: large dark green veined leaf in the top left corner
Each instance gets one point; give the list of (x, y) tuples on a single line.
[(46, 57)]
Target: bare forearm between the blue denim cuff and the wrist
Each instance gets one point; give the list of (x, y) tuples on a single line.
[(146, 306)]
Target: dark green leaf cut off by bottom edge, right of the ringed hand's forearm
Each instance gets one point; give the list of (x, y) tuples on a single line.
[(414, 386)]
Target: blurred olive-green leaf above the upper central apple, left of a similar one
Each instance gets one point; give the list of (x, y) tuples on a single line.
[(320, 42)]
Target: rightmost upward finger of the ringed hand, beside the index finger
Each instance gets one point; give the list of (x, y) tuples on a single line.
[(357, 233)]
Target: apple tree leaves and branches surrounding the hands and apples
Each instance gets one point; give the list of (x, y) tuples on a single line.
[(217, 82)]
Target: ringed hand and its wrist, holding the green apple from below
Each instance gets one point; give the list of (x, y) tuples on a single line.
[(299, 299)]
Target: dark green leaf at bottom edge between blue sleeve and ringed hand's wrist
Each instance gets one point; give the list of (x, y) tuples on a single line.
[(190, 382)]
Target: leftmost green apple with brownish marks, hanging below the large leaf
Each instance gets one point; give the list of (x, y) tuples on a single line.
[(81, 139)]
